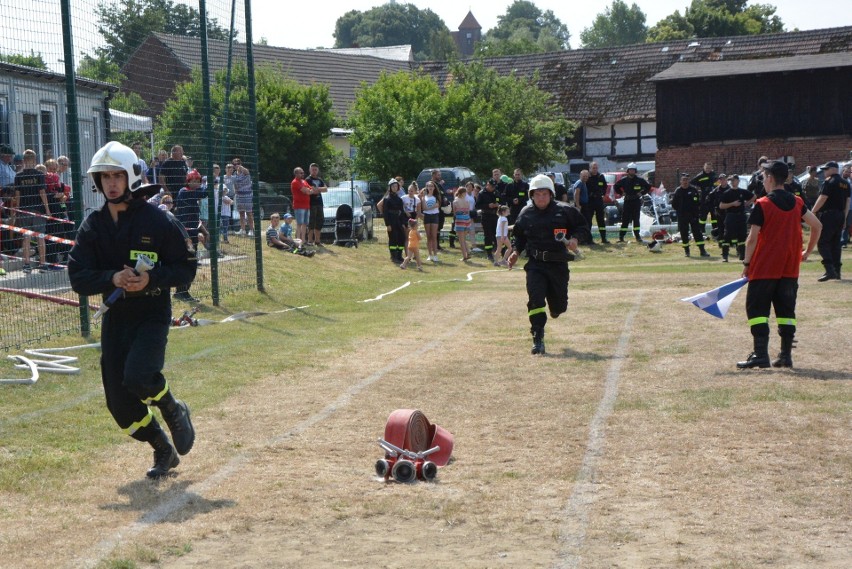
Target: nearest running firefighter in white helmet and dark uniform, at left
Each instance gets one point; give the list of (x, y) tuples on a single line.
[(135, 329)]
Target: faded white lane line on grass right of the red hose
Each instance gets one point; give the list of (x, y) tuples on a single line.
[(576, 513)]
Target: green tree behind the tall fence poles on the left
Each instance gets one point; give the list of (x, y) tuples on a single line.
[(293, 121)]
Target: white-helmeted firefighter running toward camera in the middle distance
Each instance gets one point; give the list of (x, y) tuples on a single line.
[(547, 230)]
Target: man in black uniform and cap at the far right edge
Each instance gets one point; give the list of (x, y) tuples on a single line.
[(831, 207)]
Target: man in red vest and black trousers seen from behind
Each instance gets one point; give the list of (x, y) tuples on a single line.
[(772, 258)]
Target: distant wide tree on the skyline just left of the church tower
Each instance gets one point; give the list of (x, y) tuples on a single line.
[(396, 24)]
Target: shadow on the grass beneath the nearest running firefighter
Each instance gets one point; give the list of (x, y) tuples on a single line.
[(158, 500)]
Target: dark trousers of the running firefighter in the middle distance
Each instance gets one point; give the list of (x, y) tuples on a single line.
[(547, 288)]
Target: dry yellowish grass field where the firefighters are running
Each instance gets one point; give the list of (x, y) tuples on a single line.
[(633, 443)]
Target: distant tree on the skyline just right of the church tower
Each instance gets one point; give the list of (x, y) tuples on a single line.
[(524, 28)]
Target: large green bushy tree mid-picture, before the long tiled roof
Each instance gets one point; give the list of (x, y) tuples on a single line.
[(404, 123)]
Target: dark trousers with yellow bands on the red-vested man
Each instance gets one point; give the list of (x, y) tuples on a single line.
[(762, 295)]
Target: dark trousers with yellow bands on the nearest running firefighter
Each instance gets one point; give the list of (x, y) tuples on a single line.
[(133, 343)]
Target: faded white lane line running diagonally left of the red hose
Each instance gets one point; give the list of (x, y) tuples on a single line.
[(195, 492)]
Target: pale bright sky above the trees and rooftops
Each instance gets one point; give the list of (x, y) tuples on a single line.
[(36, 25)]
